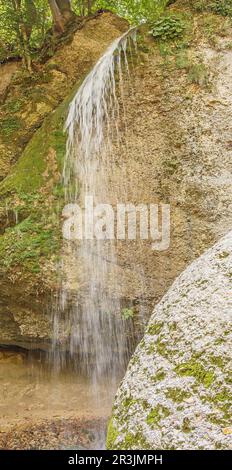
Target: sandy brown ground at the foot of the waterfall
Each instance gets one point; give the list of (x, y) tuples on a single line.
[(44, 410)]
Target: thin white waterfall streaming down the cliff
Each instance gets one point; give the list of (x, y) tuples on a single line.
[(92, 321)]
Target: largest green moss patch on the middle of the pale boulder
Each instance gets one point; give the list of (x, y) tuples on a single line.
[(196, 370)]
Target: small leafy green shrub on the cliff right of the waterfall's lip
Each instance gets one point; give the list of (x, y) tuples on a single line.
[(168, 27)]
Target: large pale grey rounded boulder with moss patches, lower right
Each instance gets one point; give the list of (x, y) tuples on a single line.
[(177, 391)]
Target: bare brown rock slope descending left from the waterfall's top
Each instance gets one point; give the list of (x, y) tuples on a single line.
[(28, 100)]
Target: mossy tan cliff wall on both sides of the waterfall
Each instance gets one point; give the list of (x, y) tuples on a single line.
[(175, 149)]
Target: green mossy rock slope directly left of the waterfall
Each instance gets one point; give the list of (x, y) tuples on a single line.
[(34, 191)]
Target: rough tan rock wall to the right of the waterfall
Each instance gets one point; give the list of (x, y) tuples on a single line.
[(176, 150)]
